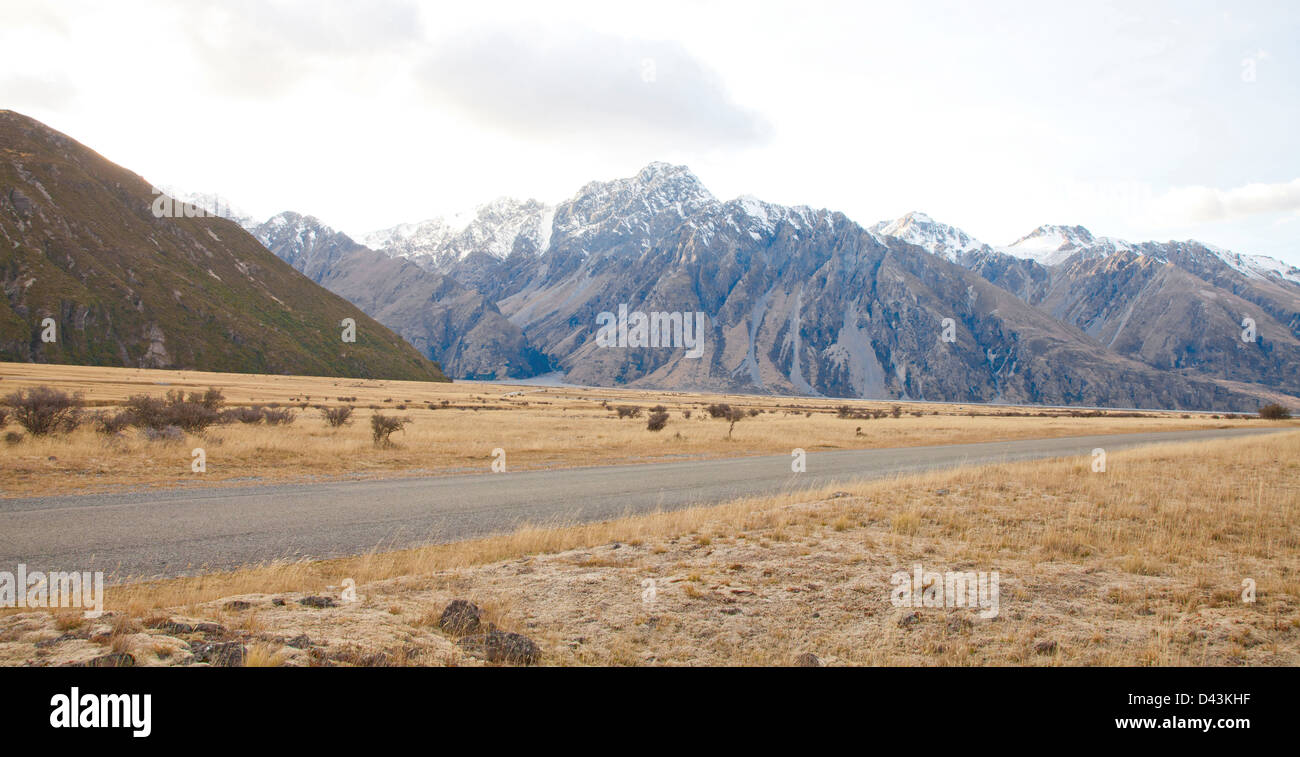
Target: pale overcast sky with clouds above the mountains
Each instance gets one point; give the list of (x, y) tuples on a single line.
[(1138, 120)]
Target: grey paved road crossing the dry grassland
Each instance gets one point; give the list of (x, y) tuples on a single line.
[(177, 533)]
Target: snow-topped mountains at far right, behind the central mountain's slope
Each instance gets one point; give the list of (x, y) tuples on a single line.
[(1176, 306)]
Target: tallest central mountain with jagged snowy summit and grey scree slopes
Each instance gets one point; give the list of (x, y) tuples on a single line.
[(801, 301)]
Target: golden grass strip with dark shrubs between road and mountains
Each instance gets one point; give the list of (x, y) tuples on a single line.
[(456, 429)]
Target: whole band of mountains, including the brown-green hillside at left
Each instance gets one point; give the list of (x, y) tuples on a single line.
[(794, 300)]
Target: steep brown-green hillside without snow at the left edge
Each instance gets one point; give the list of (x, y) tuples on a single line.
[(80, 244)]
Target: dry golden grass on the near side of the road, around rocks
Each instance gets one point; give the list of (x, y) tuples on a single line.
[(1141, 565)]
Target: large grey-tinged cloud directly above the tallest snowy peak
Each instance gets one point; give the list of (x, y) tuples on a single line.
[(584, 84)]
